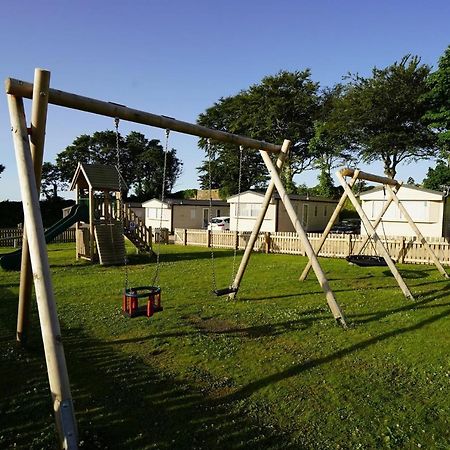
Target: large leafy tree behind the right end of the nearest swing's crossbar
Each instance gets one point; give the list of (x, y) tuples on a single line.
[(281, 107)]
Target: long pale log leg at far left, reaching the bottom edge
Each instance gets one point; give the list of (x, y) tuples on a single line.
[(51, 333)]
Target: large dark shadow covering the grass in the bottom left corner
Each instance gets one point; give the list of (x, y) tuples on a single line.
[(120, 402)]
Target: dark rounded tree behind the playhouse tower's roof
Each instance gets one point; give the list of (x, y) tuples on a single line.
[(141, 160)]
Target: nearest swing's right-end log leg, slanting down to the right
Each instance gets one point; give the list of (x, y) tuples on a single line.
[(332, 303)]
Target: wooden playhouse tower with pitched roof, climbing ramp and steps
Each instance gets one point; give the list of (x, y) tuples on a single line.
[(102, 239)]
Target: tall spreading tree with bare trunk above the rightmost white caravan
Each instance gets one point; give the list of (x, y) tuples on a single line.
[(381, 116)]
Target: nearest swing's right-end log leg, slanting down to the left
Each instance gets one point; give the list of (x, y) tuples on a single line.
[(258, 222)]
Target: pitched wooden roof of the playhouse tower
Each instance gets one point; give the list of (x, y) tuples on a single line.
[(98, 177)]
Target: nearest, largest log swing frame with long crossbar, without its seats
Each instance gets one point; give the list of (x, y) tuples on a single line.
[(29, 147)]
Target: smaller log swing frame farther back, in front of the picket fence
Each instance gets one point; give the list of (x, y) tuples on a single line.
[(392, 187)]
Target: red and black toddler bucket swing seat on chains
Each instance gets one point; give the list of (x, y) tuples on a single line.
[(131, 296)]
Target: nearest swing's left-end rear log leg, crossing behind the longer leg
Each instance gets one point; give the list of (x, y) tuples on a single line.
[(37, 139)]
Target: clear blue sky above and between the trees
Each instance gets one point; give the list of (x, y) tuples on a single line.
[(178, 57)]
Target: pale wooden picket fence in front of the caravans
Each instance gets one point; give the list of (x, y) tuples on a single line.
[(402, 249)]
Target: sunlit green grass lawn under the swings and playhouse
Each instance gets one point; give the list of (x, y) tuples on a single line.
[(270, 370)]
